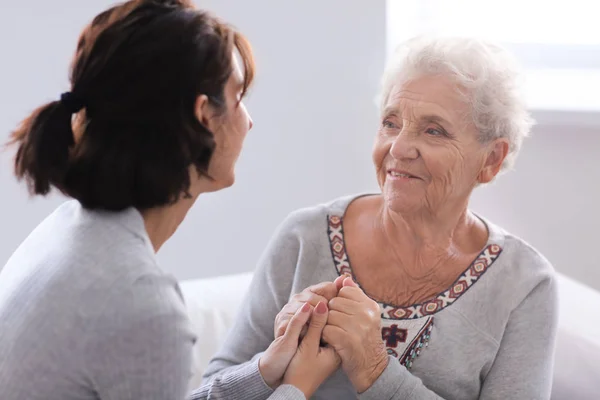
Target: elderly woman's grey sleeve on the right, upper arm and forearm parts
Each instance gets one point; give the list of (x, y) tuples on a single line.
[(522, 368)]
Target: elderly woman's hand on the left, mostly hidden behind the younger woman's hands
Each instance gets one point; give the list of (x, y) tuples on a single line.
[(322, 292)]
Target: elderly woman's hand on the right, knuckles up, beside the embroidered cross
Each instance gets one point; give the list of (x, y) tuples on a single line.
[(354, 331)]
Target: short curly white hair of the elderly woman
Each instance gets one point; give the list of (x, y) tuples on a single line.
[(487, 76)]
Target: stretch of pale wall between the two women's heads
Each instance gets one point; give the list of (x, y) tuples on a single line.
[(318, 65)]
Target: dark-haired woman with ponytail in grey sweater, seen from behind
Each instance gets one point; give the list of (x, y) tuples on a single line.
[(153, 119)]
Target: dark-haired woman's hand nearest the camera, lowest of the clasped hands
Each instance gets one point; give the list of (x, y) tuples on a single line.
[(312, 364)]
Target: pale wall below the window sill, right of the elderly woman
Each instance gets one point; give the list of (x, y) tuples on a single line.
[(552, 199)]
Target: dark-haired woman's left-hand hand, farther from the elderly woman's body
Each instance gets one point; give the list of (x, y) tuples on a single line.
[(275, 360)]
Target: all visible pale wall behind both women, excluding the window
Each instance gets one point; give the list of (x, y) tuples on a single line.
[(319, 63)]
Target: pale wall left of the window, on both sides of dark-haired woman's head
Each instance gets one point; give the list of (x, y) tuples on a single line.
[(318, 69)]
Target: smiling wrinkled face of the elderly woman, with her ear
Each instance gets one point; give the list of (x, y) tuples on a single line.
[(427, 153)]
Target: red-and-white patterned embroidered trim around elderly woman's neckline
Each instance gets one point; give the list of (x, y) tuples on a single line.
[(485, 259)]
